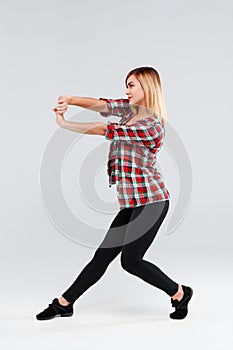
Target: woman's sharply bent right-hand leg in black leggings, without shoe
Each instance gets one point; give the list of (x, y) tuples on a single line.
[(146, 221)]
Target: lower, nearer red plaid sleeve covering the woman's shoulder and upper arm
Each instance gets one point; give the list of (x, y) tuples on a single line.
[(149, 136)]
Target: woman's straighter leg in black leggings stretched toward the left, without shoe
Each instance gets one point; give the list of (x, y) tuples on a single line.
[(107, 251)]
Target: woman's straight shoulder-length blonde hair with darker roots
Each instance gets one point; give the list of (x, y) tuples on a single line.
[(150, 82)]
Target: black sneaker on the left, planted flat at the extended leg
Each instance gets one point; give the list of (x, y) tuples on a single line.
[(55, 309)]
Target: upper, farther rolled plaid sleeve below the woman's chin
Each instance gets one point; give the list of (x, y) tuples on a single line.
[(118, 107)]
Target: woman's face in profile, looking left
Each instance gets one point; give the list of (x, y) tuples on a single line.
[(134, 91)]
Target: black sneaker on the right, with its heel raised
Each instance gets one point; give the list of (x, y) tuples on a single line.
[(182, 305)]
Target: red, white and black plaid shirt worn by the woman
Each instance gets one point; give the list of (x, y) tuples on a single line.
[(132, 156)]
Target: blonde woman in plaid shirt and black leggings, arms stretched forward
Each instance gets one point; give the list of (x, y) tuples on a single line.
[(142, 194)]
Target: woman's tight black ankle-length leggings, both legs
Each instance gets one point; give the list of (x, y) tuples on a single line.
[(131, 234)]
